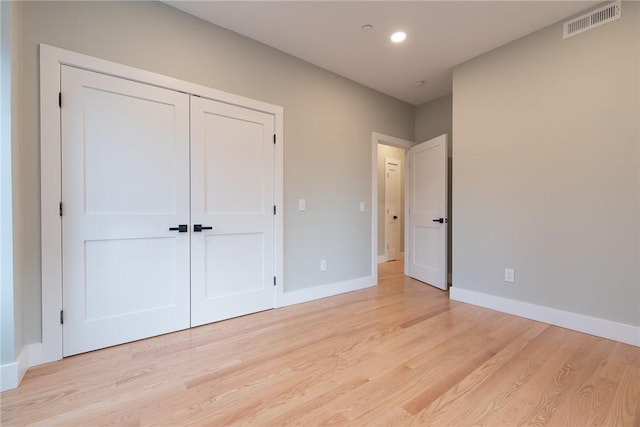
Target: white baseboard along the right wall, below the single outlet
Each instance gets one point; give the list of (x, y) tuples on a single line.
[(603, 328)]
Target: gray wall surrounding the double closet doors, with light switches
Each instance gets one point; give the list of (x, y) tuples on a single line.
[(328, 123)]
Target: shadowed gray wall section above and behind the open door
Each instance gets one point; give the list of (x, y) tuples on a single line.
[(432, 119)]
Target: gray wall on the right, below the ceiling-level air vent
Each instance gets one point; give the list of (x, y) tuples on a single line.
[(546, 176)]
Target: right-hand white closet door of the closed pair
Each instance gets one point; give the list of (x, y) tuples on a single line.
[(232, 192)]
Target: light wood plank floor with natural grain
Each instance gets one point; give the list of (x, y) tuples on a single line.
[(401, 353)]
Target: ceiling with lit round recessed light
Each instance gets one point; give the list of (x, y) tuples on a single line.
[(440, 35)]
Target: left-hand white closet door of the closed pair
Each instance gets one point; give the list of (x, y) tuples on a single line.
[(125, 183)]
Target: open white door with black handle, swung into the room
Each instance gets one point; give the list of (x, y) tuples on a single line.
[(428, 222)]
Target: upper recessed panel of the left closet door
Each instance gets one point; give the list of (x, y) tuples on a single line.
[(109, 133)]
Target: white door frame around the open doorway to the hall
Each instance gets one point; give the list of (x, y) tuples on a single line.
[(379, 138)]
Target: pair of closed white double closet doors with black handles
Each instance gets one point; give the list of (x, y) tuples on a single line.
[(167, 210)]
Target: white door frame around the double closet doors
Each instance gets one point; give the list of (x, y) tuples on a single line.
[(51, 59)]
